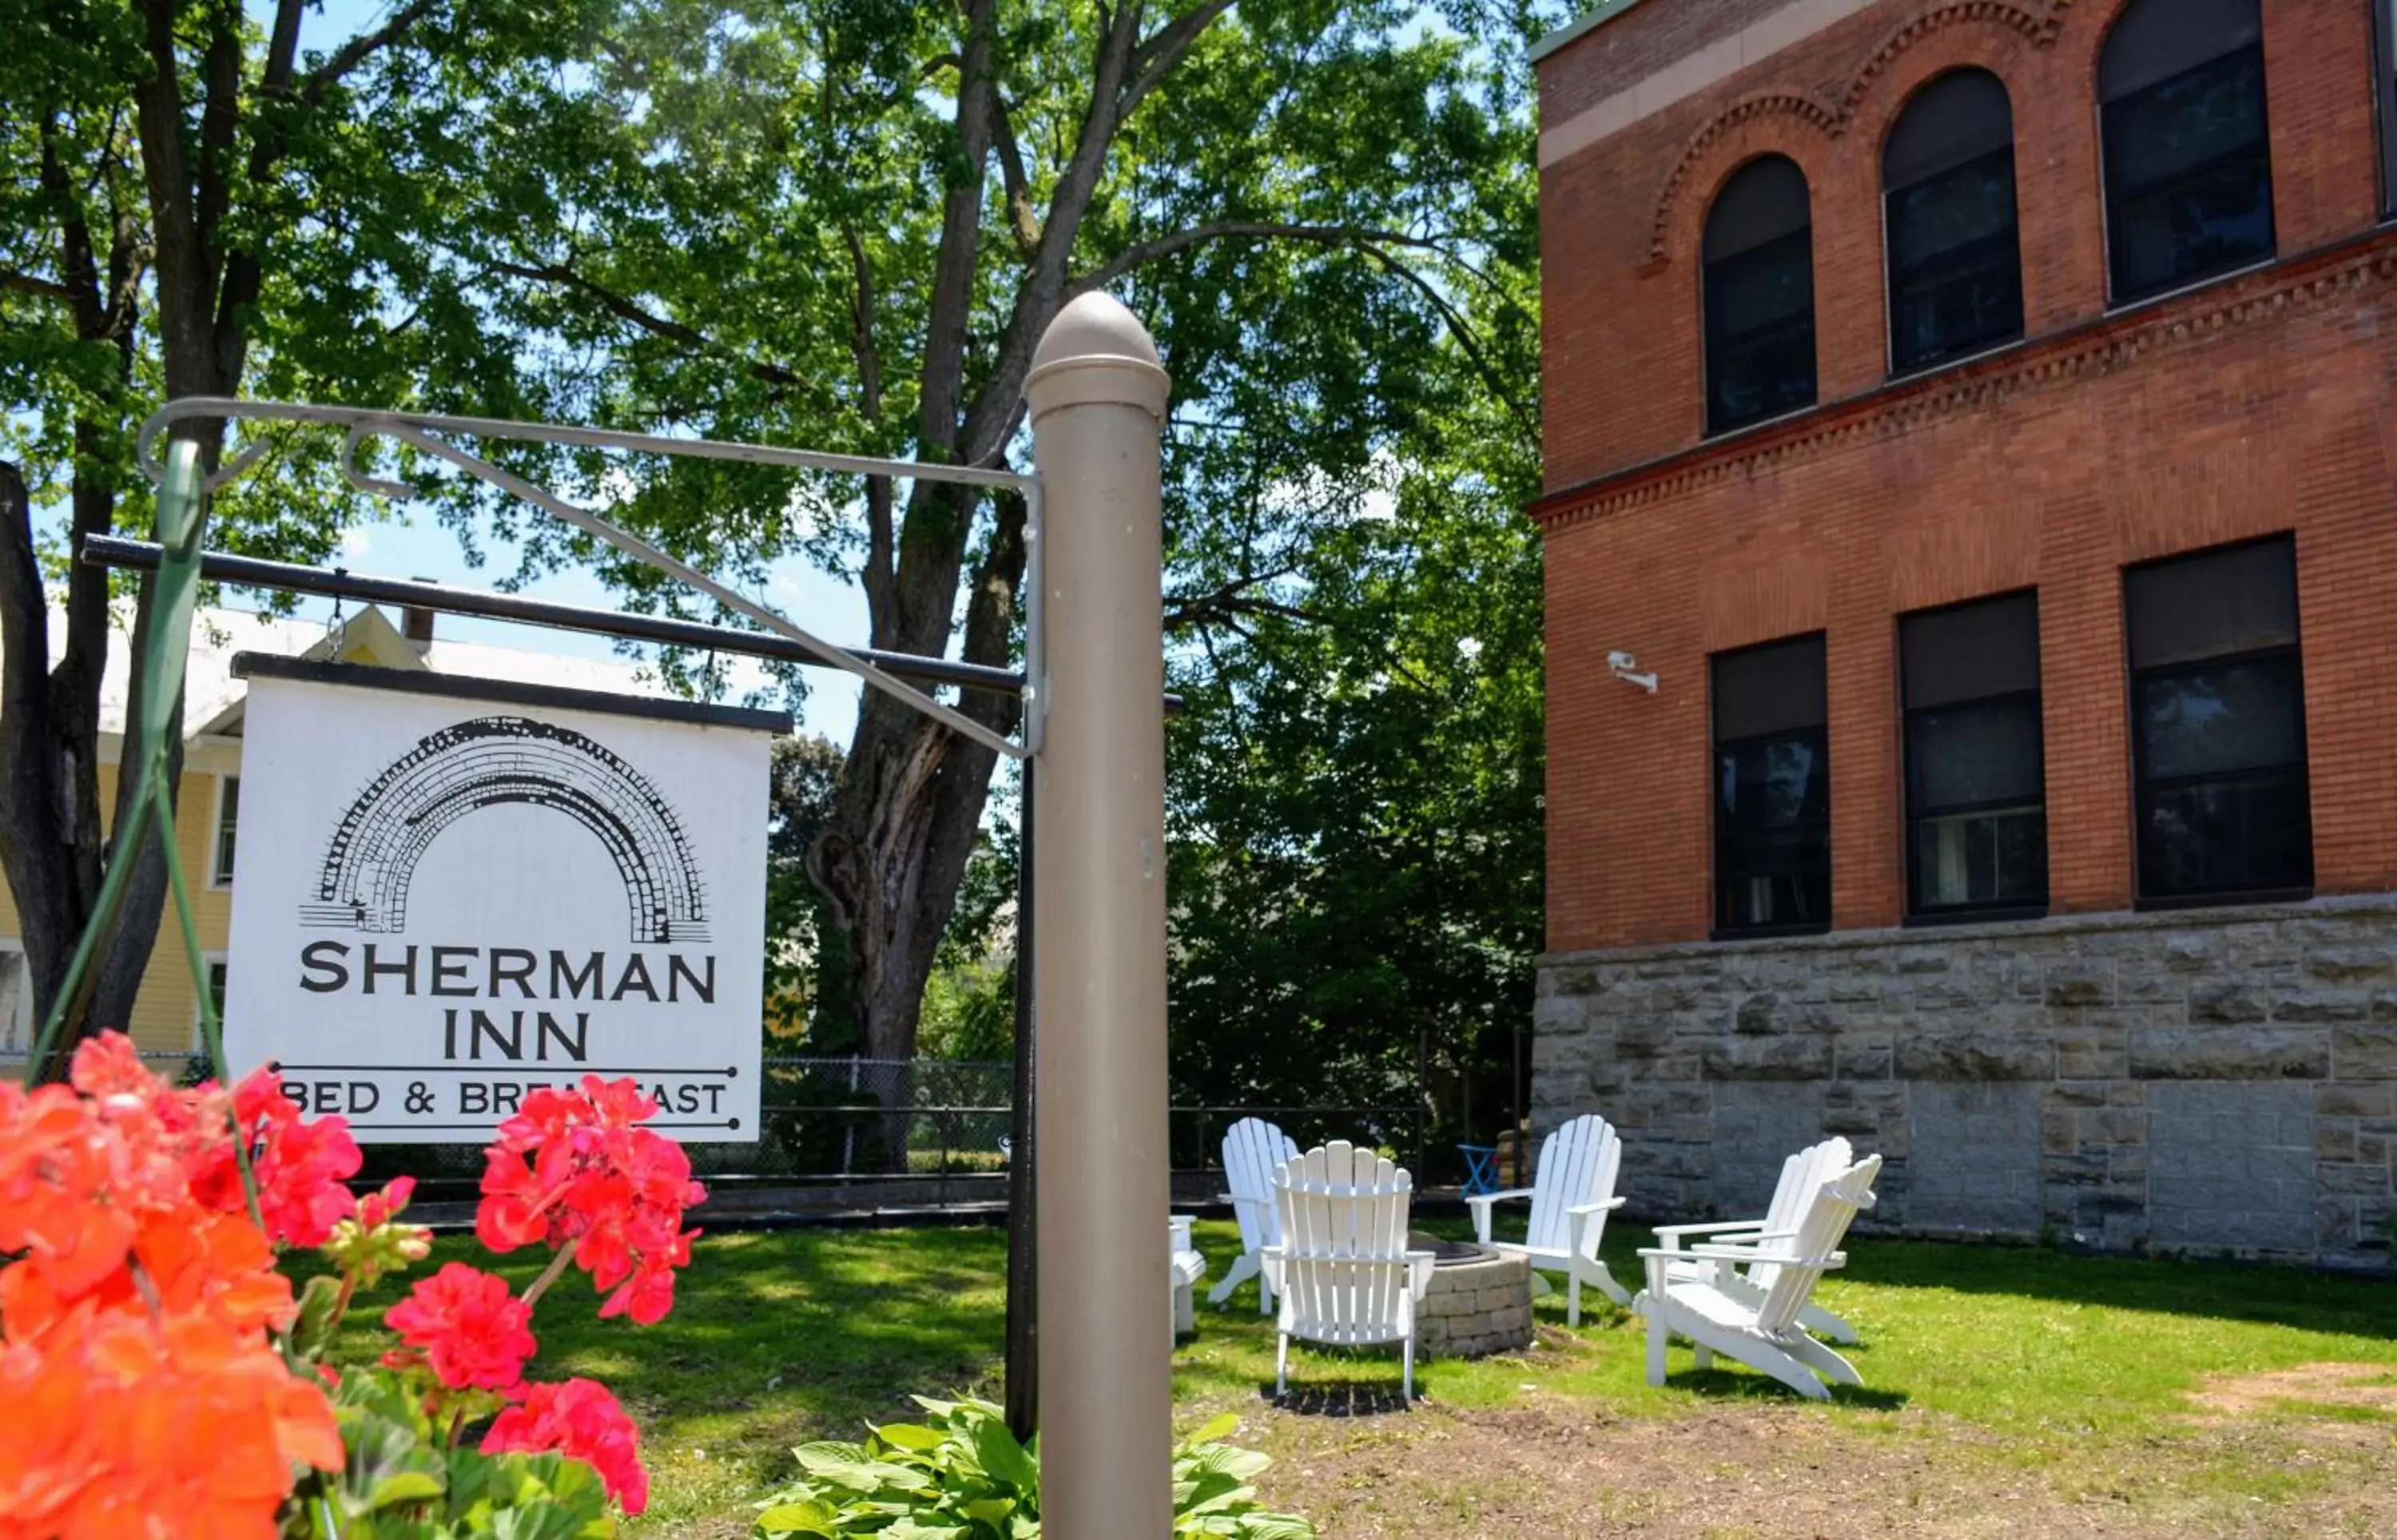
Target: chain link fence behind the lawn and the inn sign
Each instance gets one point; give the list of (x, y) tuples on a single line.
[(883, 1122)]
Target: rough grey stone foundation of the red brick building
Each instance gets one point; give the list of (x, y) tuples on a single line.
[(2204, 1081)]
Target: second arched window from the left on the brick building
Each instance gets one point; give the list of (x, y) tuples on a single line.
[(1948, 190)]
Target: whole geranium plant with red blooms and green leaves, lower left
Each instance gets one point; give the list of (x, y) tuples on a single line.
[(164, 1378)]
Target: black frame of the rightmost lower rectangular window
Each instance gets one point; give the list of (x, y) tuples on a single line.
[(2144, 787)]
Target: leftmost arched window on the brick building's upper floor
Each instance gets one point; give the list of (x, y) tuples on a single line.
[(1761, 296)]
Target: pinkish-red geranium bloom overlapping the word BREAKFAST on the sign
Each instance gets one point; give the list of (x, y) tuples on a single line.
[(574, 1170)]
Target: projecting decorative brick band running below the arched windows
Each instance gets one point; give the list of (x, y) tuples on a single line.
[(2031, 368)]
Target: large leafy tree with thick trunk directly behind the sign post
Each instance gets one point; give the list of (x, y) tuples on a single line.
[(847, 224)]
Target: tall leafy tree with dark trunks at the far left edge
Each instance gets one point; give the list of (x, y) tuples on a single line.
[(152, 202)]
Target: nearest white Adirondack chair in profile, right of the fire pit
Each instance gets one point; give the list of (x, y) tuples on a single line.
[(1765, 1338)]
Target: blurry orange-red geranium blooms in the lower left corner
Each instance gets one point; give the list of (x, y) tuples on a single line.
[(150, 1397)]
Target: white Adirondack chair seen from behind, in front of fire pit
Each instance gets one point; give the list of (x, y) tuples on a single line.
[(1344, 1266)]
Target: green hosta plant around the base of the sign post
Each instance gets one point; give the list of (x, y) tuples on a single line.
[(962, 1477)]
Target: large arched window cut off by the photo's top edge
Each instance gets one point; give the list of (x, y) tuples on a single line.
[(2187, 159)]
